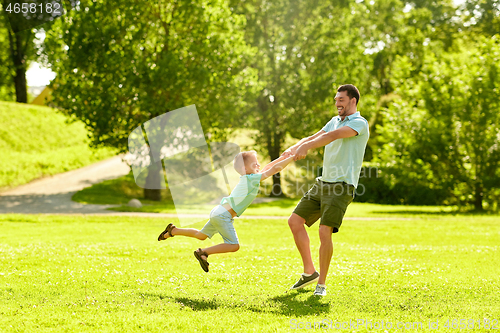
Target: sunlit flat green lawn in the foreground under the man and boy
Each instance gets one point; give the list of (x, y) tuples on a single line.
[(109, 274)]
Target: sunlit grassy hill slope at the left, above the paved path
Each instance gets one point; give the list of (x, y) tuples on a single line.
[(37, 141)]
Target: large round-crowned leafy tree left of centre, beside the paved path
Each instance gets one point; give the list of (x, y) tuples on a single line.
[(121, 64)]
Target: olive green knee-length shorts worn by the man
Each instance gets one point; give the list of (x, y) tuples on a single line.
[(326, 200)]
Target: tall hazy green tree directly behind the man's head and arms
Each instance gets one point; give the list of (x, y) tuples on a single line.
[(305, 49)]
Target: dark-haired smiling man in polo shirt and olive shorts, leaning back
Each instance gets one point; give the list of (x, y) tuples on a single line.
[(345, 137)]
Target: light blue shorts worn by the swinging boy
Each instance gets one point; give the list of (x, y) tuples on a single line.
[(221, 222)]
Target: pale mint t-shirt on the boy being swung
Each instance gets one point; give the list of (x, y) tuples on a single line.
[(243, 193)]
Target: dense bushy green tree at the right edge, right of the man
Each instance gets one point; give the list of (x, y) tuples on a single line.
[(444, 132)]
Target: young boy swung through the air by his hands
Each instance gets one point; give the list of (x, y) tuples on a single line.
[(222, 216)]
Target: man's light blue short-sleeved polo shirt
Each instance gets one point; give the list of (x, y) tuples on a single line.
[(344, 157)]
